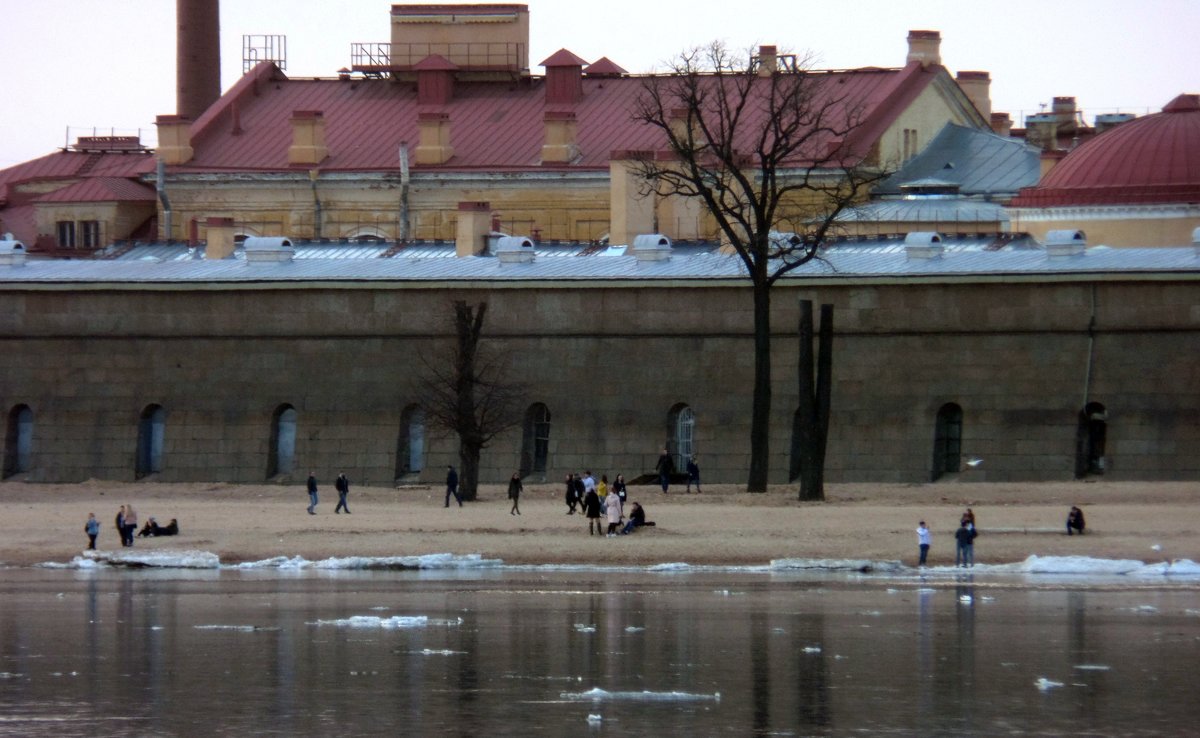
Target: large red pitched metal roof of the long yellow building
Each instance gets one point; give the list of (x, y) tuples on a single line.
[(497, 127)]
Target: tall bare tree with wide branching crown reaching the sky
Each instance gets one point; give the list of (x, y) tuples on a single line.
[(776, 153)]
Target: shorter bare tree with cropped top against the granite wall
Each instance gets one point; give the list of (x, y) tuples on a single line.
[(469, 393)]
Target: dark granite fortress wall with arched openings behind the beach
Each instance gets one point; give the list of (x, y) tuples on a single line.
[(1021, 358)]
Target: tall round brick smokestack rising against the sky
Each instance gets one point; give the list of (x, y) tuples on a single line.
[(197, 56)]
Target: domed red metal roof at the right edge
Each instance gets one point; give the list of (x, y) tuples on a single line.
[(1149, 160)]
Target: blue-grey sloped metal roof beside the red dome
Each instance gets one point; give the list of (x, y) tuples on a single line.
[(981, 163)]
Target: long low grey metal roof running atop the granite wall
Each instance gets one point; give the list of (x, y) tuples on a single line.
[(883, 259)]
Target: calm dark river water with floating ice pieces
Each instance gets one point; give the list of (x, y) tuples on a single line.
[(596, 653)]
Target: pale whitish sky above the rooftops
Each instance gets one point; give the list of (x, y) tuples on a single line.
[(111, 64)]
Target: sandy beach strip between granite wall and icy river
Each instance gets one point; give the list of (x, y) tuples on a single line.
[(1145, 521)]
